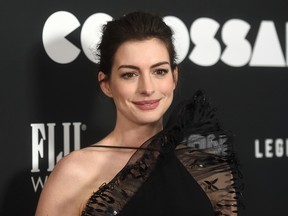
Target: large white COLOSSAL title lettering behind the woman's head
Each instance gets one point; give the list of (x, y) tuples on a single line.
[(267, 51)]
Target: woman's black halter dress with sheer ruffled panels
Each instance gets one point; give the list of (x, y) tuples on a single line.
[(188, 169)]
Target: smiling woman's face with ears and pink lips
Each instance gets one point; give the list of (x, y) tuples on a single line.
[(141, 82)]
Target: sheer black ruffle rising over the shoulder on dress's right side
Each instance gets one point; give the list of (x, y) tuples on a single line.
[(206, 150)]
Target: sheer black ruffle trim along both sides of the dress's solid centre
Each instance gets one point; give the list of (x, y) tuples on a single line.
[(194, 135)]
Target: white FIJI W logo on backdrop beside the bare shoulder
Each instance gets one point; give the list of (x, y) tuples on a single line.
[(44, 148)]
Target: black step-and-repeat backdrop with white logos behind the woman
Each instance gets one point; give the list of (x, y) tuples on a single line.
[(50, 102)]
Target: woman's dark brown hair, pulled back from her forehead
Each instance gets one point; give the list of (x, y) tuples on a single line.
[(132, 27)]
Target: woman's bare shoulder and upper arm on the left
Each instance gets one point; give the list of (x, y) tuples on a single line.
[(70, 183)]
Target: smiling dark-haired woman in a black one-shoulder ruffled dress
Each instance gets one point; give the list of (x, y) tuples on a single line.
[(141, 168)]
